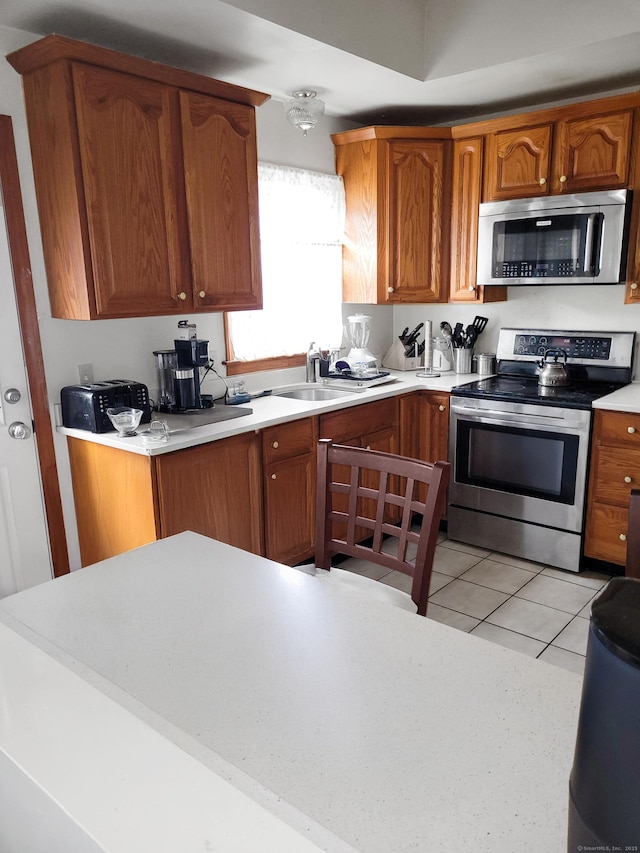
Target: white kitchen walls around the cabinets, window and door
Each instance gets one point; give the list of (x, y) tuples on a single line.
[(123, 348)]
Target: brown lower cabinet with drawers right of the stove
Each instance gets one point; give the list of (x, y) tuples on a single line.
[(615, 470)]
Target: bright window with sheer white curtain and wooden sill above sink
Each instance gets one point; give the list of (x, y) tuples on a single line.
[(301, 226)]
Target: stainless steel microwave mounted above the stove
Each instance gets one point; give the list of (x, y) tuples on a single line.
[(567, 239)]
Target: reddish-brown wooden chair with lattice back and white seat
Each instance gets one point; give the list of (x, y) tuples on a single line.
[(367, 499)]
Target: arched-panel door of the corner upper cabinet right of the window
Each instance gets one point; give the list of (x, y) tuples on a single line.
[(417, 220)]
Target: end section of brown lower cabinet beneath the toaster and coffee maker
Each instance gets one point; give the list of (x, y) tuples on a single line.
[(124, 500)]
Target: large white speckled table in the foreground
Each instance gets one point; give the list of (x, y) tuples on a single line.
[(189, 691)]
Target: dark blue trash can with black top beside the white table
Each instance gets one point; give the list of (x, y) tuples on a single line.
[(604, 788)]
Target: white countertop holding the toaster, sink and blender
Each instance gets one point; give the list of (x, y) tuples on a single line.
[(271, 410)]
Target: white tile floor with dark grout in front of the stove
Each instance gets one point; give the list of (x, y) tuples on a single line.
[(525, 606)]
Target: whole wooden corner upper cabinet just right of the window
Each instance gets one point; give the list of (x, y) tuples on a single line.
[(397, 183)]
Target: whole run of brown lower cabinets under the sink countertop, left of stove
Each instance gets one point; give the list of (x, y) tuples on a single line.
[(255, 490)]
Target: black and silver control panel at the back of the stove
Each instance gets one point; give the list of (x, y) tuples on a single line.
[(605, 349)]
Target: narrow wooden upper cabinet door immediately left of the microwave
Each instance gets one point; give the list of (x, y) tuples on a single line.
[(467, 195)]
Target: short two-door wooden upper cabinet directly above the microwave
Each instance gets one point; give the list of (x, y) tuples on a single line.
[(578, 153)]
